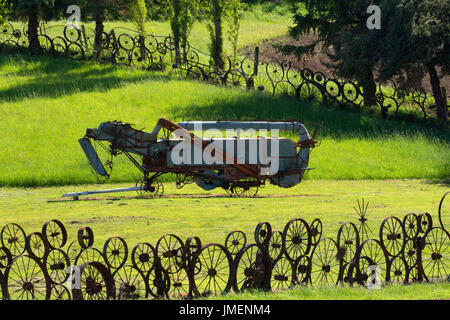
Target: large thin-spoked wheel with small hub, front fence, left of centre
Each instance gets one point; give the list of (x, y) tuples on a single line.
[(215, 271)]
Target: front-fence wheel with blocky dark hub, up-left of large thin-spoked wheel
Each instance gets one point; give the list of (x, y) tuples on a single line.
[(171, 255)]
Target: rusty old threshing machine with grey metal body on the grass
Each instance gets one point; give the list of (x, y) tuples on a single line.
[(238, 165)]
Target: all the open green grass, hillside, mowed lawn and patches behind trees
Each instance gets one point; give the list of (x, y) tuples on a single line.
[(47, 104)]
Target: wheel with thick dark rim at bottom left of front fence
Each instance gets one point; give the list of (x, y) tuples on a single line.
[(96, 283)]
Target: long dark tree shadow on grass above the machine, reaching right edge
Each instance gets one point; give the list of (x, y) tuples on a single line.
[(335, 123)]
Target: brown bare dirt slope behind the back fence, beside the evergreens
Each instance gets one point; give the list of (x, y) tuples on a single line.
[(316, 62)]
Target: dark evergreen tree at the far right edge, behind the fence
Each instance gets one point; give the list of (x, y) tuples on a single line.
[(418, 43)]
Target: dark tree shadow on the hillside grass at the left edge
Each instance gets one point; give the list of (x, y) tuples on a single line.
[(56, 76)]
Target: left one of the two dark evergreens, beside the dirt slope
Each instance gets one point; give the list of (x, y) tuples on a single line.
[(341, 27)]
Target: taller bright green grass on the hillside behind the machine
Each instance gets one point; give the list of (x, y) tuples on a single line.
[(48, 103)]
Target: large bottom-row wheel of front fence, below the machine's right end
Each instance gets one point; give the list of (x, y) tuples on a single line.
[(325, 265)]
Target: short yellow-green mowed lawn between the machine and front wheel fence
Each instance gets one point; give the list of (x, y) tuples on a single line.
[(211, 216)]
